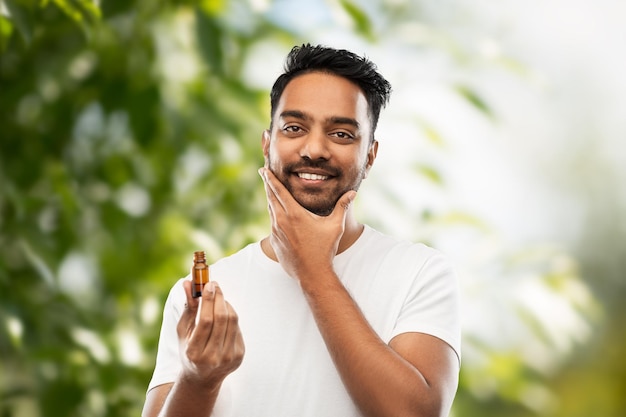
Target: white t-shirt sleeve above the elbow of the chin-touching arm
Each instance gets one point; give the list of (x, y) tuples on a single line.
[(432, 303)]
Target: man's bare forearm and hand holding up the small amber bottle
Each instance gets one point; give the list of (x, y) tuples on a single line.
[(211, 349)]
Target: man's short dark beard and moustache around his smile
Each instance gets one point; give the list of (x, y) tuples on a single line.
[(319, 201)]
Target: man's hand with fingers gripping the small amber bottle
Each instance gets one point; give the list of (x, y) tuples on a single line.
[(210, 339)]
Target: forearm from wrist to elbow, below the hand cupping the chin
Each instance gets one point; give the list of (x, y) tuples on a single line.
[(380, 381)]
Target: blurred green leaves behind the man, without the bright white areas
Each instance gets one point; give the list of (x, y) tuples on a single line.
[(128, 138)]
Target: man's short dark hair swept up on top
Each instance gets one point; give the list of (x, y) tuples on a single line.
[(360, 70)]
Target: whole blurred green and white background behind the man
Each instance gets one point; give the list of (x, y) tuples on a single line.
[(130, 137)]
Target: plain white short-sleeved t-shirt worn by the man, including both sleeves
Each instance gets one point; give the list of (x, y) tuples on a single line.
[(286, 371)]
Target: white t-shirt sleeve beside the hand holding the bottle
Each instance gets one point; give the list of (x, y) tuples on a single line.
[(168, 358)]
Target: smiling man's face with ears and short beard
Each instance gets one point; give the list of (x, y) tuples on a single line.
[(319, 146)]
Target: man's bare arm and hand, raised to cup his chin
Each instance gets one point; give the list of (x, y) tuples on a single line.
[(415, 375)]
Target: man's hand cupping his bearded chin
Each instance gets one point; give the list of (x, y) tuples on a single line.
[(303, 242)]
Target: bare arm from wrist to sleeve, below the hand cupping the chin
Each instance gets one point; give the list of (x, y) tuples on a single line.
[(415, 375)]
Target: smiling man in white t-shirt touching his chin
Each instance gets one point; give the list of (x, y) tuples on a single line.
[(338, 319)]
